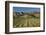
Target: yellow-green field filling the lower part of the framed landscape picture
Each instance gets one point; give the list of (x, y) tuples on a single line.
[(26, 21)]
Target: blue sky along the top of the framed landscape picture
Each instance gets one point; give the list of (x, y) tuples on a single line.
[(25, 9)]
